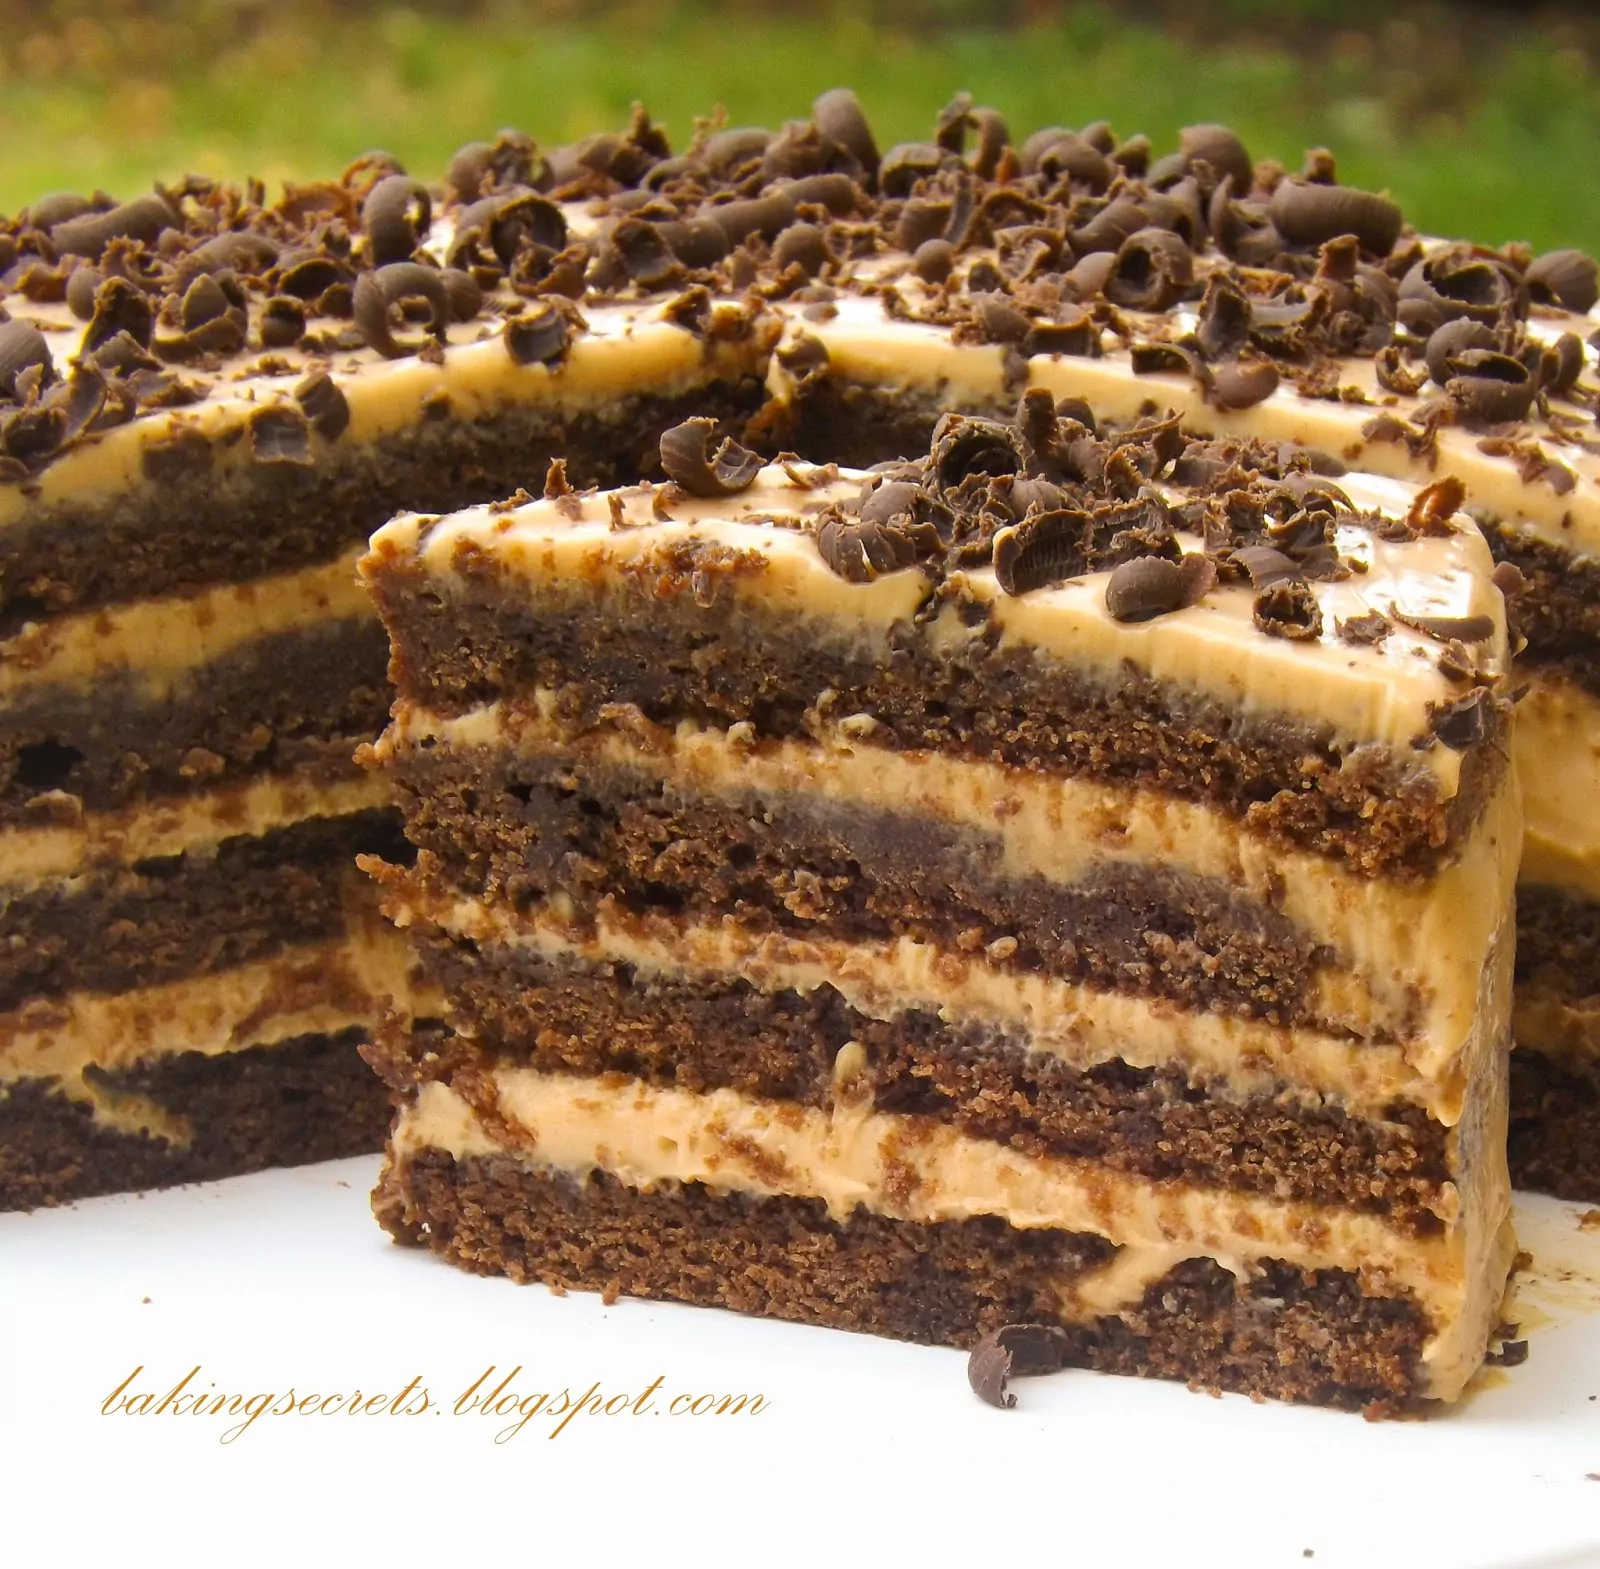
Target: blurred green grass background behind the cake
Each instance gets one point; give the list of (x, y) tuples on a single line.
[(1484, 119)]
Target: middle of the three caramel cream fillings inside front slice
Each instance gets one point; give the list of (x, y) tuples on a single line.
[(1081, 1026)]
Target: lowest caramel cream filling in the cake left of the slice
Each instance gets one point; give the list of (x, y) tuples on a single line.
[(316, 989)]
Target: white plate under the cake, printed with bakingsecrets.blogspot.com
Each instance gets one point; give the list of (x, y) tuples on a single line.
[(865, 1450)]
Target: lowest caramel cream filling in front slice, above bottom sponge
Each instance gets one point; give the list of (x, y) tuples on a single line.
[(854, 1157)]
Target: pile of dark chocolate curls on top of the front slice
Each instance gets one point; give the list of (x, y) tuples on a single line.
[(1050, 498)]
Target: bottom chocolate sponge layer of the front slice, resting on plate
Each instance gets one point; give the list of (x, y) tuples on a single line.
[(1287, 1335)]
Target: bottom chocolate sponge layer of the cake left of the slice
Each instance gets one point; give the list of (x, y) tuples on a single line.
[(308, 1100)]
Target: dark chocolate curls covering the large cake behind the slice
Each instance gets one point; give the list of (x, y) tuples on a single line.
[(1074, 244)]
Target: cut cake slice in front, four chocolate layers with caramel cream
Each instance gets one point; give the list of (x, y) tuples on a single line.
[(1066, 879)]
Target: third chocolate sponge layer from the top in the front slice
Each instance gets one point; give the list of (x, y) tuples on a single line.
[(719, 1032)]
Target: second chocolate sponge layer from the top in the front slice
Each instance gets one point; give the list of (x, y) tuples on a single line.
[(524, 829)]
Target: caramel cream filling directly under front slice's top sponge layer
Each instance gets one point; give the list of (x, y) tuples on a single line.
[(1414, 954)]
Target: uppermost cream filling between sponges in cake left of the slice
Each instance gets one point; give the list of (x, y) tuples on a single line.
[(164, 644)]
